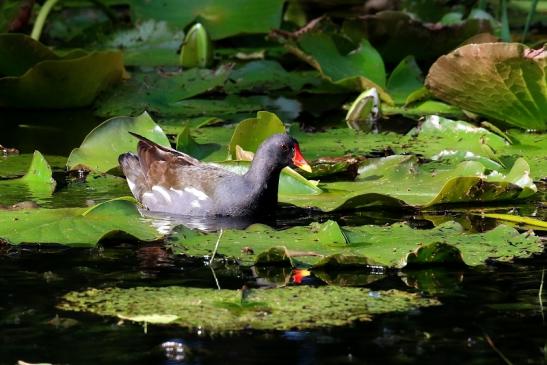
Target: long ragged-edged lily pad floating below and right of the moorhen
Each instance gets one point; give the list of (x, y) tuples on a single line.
[(327, 244)]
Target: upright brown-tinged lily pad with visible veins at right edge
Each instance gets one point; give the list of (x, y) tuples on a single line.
[(503, 81)]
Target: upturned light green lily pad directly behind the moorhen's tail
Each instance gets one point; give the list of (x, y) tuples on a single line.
[(100, 149)]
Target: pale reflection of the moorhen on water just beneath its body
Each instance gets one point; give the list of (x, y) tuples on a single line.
[(165, 222)]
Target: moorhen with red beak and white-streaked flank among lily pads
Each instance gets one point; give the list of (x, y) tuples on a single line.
[(166, 180)]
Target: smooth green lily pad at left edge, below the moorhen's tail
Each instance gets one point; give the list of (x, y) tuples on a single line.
[(77, 227)]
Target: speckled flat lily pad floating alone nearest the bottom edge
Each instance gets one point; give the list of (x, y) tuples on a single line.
[(231, 310)]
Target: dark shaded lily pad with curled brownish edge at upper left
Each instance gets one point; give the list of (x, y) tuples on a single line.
[(34, 77)]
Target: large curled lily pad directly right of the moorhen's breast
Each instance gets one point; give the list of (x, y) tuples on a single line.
[(400, 180)]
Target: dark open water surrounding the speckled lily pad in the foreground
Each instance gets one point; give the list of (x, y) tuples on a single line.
[(499, 302)]
